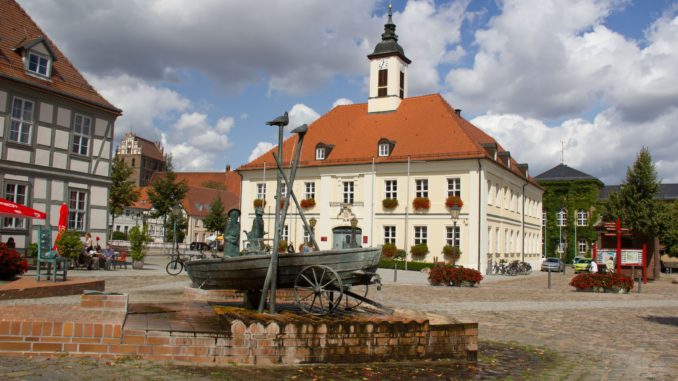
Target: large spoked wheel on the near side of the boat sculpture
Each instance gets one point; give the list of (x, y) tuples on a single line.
[(318, 289)]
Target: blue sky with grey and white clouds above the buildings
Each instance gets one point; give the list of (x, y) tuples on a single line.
[(584, 82)]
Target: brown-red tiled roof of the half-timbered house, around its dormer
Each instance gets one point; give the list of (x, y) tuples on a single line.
[(17, 28)]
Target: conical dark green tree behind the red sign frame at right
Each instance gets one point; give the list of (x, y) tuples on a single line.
[(635, 201)]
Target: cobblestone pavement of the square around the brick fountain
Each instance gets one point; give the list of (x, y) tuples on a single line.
[(590, 336)]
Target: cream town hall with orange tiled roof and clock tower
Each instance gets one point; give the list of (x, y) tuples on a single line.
[(420, 154)]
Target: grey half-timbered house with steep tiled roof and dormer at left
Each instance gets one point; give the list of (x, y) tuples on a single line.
[(56, 132)]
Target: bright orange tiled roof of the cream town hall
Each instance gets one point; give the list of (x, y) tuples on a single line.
[(423, 128)]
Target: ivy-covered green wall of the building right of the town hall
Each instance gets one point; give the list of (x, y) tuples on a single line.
[(571, 195)]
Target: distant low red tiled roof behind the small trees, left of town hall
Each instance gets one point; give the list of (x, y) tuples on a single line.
[(196, 202)]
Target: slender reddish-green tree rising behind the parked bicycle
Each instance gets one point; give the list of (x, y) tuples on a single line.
[(166, 193)]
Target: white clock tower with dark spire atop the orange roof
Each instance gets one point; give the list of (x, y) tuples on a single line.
[(388, 71)]
